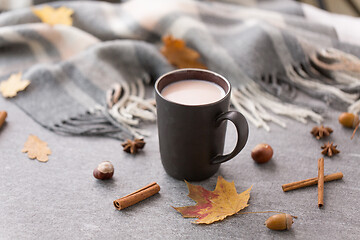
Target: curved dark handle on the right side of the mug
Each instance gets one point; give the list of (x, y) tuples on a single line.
[(242, 129)]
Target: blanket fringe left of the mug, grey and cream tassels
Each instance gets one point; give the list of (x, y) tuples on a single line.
[(120, 119)]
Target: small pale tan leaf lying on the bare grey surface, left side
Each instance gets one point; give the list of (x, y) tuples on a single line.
[(36, 149)]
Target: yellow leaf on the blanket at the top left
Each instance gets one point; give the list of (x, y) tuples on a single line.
[(52, 16)]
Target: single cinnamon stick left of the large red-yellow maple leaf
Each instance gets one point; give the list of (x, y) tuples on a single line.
[(137, 196)]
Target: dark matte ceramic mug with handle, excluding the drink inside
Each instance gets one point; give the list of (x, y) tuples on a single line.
[(192, 137)]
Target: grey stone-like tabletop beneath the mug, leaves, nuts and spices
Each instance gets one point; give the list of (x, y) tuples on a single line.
[(60, 199)]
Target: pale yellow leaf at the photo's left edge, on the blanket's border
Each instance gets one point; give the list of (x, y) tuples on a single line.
[(10, 87)]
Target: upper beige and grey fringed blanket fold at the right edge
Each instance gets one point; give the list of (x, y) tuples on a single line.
[(331, 75)]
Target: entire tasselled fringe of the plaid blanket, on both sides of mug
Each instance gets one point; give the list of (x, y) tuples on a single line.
[(333, 76)]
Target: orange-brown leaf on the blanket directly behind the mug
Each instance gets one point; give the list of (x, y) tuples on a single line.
[(179, 55)]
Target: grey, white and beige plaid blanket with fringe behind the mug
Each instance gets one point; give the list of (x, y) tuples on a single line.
[(88, 79)]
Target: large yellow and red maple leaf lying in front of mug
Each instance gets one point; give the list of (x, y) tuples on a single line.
[(214, 205)]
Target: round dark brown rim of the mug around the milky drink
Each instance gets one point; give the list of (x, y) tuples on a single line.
[(227, 93)]
